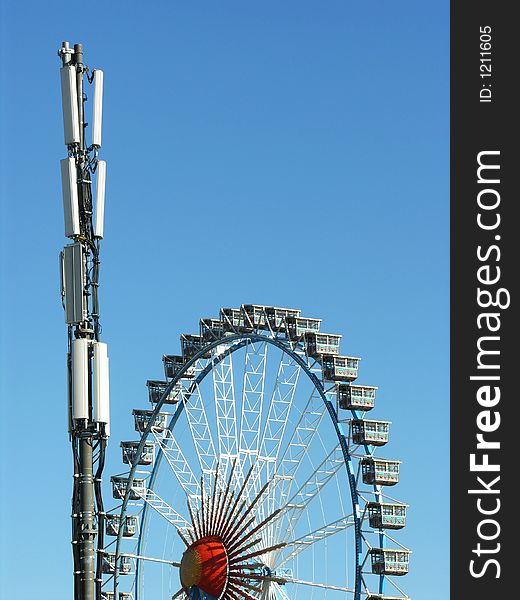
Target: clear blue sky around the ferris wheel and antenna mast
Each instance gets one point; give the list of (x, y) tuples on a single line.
[(293, 154)]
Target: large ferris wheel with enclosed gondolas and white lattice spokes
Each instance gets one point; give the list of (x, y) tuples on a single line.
[(254, 473)]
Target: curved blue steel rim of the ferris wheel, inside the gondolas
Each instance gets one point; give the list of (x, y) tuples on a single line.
[(233, 343)]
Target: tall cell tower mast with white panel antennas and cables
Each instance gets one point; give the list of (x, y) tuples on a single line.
[(87, 357)]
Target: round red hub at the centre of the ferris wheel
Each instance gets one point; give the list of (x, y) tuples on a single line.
[(204, 564)]
